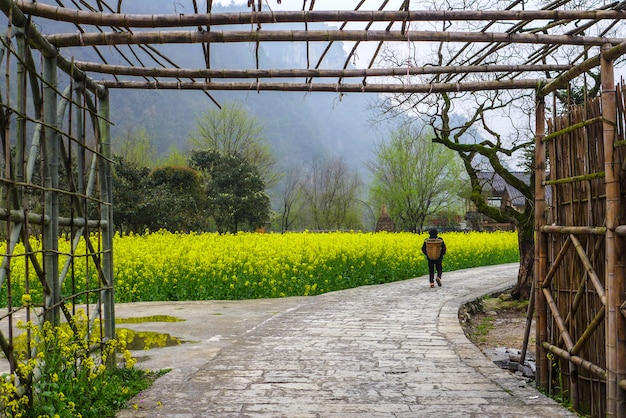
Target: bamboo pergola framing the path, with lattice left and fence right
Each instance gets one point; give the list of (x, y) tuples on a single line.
[(56, 140)]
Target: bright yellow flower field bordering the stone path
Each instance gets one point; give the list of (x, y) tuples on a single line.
[(169, 266)]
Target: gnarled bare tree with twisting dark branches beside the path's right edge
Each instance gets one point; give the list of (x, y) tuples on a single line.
[(489, 130)]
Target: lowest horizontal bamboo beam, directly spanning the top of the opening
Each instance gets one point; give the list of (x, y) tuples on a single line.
[(333, 88)]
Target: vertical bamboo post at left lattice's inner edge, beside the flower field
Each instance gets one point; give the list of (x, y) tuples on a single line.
[(106, 192)]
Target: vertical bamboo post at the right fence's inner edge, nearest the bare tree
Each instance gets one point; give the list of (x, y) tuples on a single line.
[(541, 244)]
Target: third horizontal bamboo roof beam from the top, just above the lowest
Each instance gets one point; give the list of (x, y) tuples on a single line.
[(306, 73)]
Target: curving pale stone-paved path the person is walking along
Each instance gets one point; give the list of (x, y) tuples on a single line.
[(393, 350)]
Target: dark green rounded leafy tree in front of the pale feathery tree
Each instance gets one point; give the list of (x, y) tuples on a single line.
[(235, 191)]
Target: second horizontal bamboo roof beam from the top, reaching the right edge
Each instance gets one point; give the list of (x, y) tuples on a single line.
[(190, 37)]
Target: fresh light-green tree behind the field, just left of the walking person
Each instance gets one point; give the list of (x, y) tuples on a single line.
[(415, 178)]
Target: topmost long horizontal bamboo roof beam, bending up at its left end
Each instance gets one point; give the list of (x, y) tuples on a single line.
[(214, 19)]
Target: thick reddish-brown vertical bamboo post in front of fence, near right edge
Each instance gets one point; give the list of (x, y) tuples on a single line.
[(615, 323)]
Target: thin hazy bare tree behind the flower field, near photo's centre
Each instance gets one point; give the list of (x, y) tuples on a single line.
[(331, 189)]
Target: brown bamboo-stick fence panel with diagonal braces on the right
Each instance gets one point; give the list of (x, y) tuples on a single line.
[(577, 338)]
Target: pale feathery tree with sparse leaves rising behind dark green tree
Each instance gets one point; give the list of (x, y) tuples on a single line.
[(232, 131)]
